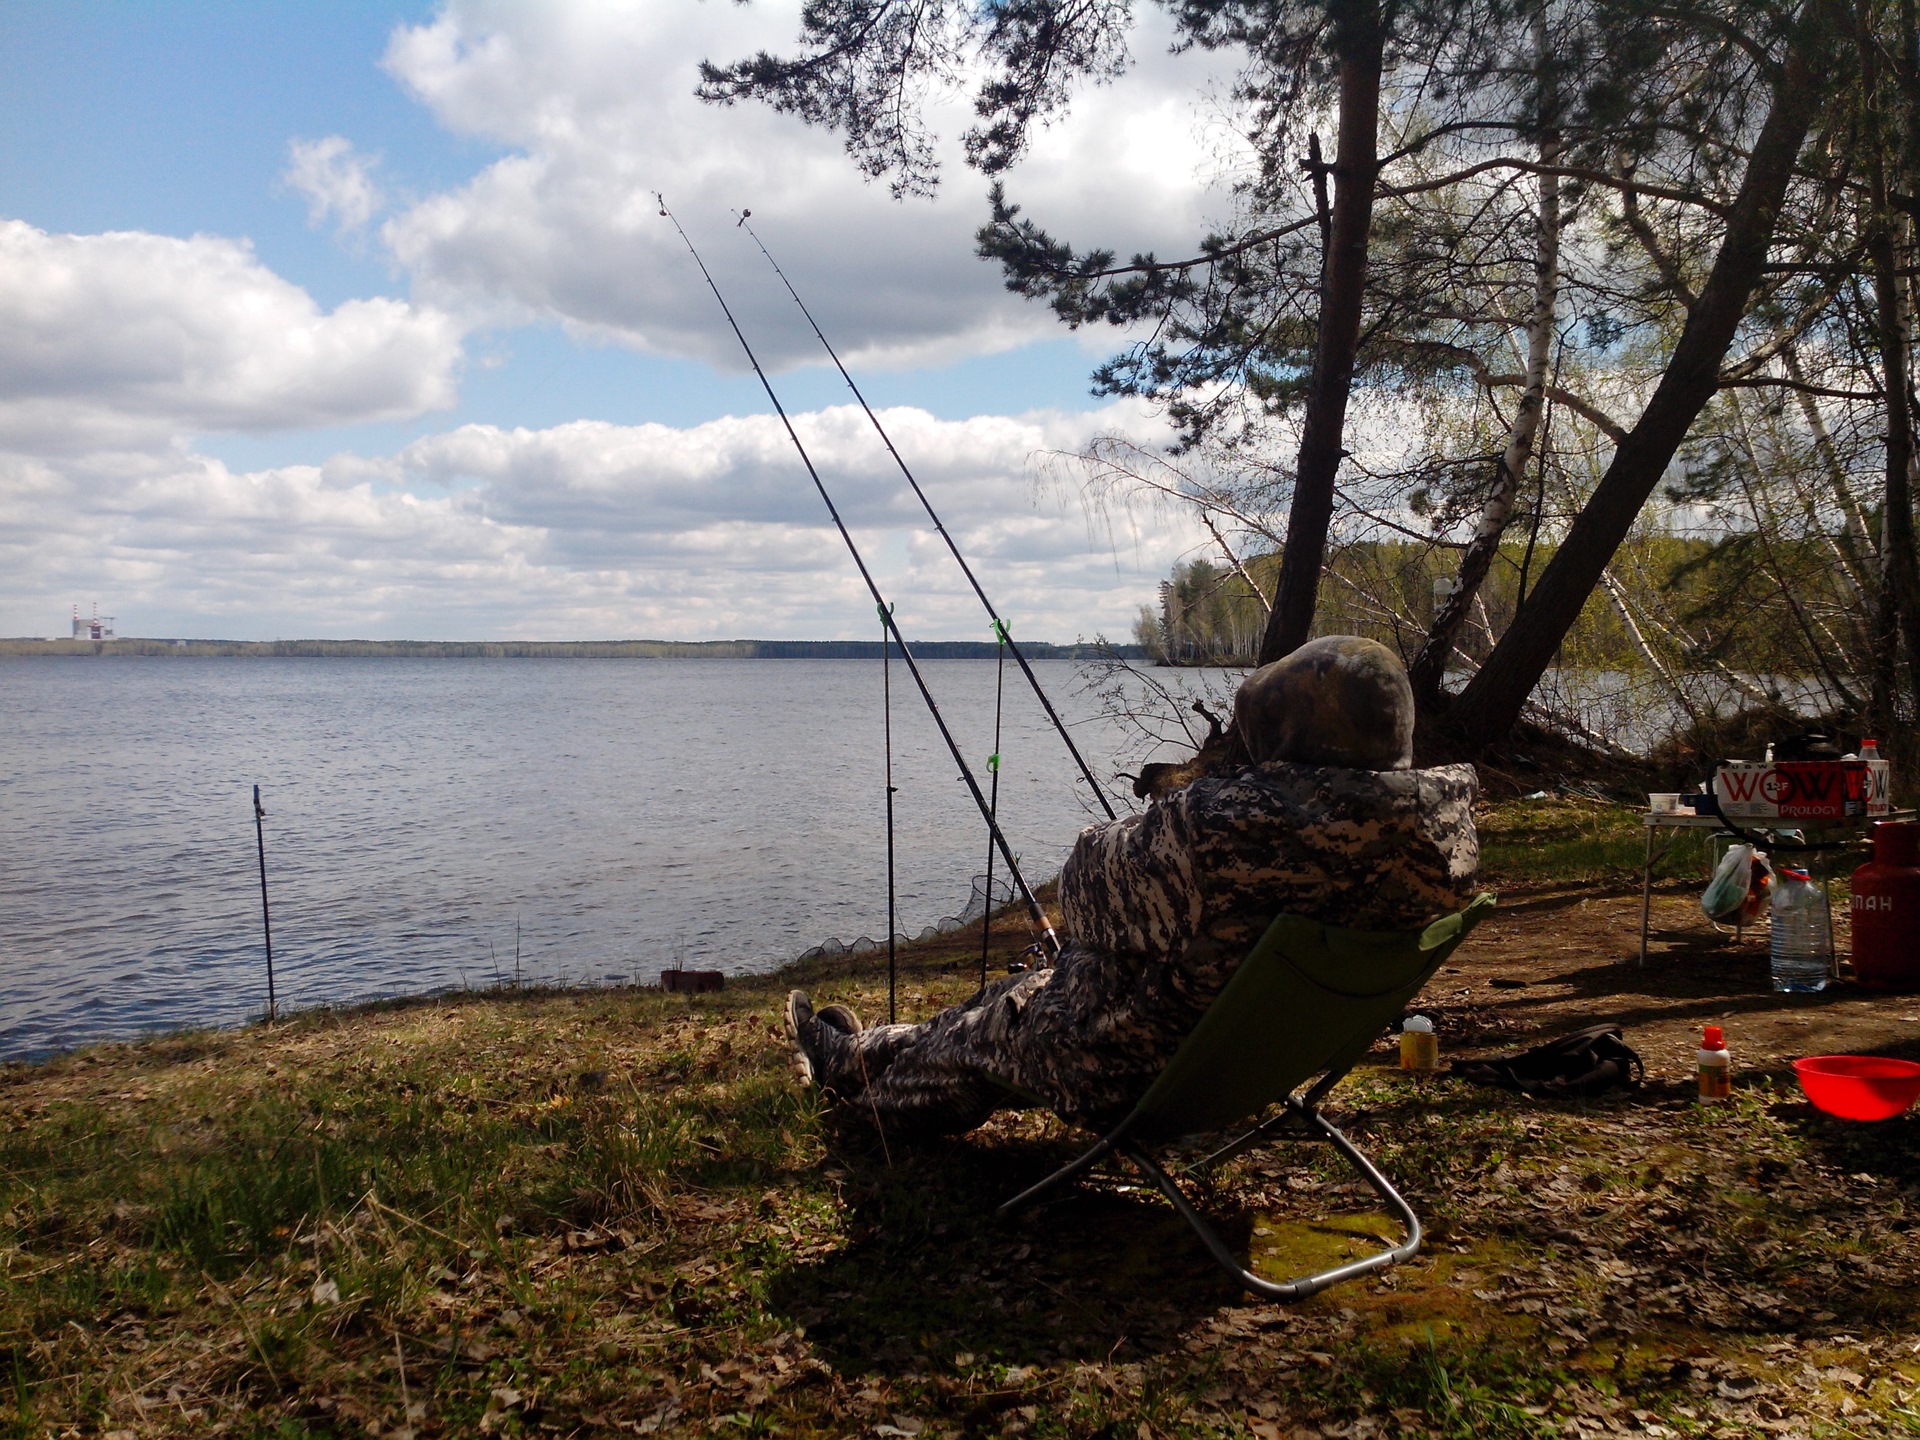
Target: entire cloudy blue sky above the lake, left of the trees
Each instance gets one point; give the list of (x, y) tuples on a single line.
[(277, 264)]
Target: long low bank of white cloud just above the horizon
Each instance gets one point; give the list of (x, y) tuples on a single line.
[(583, 531)]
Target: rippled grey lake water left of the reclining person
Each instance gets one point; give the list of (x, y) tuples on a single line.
[(421, 815)]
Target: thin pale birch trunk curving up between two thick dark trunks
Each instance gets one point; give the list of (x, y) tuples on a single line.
[(1429, 667)]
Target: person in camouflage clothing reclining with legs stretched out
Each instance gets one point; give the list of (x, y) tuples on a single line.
[(1316, 813)]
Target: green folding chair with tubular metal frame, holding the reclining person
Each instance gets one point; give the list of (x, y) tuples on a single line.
[(1308, 1001)]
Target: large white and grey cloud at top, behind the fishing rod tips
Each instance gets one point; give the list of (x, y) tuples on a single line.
[(596, 103)]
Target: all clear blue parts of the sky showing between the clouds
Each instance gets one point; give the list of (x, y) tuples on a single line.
[(174, 118)]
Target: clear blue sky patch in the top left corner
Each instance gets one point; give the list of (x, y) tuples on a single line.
[(176, 118)]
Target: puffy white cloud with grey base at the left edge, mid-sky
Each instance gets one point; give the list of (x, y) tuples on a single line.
[(126, 341)]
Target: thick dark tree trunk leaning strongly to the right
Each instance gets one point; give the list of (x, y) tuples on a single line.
[(1493, 700)]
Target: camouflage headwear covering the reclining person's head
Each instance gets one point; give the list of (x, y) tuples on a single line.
[(1339, 700)]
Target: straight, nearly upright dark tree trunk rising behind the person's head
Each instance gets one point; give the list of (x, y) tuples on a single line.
[(1360, 43)]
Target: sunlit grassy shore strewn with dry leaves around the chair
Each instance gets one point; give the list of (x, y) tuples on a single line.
[(617, 1214)]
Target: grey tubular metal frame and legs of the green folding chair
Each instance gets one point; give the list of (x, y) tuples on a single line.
[(1299, 1115)]
